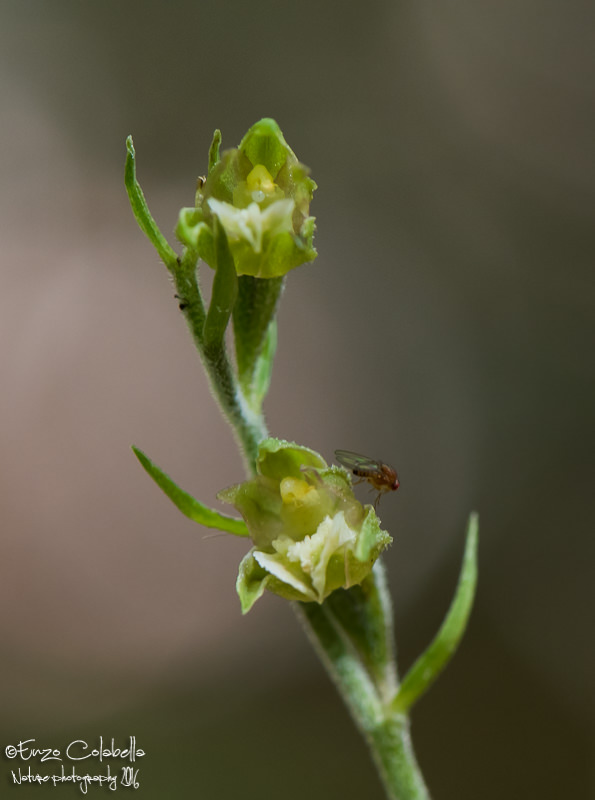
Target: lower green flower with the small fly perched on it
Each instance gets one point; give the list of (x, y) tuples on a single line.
[(311, 536)]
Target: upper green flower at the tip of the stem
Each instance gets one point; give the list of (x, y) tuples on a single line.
[(261, 195)]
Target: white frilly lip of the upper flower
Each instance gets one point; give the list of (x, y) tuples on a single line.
[(252, 223)]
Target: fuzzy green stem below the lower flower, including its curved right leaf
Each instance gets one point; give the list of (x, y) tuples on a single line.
[(352, 632)]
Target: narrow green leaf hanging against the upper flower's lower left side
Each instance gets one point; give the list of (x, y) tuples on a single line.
[(224, 292)]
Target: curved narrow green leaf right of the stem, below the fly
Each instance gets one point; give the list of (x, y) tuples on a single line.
[(431, 663)]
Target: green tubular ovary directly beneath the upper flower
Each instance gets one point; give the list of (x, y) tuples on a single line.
[(255, 334)]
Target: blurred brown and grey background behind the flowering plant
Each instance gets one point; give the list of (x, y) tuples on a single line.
[(446, 327)]
